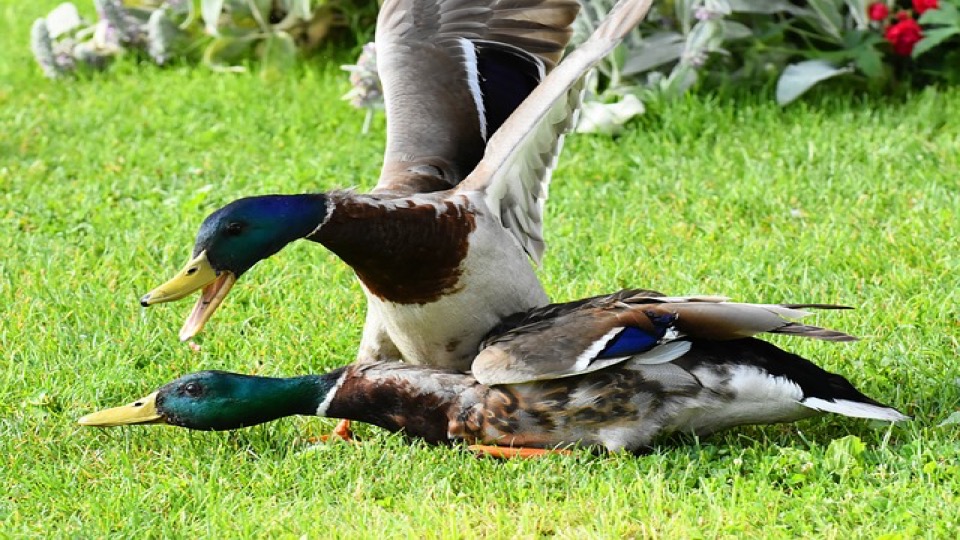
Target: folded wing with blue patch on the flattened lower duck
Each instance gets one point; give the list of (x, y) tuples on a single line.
[(581, 337)]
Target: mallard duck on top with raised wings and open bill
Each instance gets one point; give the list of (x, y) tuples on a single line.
[(441, 245)]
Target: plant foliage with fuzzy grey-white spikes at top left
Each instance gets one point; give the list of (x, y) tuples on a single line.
[(223, 34)]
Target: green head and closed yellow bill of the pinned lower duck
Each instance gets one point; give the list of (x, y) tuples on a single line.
[(219, 400)]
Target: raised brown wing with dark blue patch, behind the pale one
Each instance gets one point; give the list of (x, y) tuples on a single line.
[(452, 72)]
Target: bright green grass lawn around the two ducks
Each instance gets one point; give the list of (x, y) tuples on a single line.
[(104, 181)]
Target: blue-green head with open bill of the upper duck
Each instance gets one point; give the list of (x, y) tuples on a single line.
[(232, 240)]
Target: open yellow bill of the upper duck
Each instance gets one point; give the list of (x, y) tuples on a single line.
[(197, 274)]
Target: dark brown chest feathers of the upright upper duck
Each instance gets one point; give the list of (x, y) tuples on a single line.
[(405, 252)]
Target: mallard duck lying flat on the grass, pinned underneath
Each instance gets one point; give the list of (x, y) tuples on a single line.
[(614, 372)]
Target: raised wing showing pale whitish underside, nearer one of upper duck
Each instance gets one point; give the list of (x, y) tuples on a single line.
[(515, 170)]
